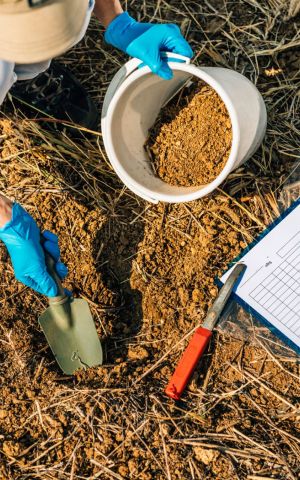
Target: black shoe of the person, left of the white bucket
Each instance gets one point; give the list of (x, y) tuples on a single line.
[(58, 94)]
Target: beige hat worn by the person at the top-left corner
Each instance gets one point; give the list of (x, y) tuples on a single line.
[(36, 30)]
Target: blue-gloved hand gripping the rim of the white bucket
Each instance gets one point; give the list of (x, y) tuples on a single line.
[(147, 41)]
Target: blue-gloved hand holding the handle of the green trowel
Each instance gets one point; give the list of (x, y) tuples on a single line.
[(23, 240)]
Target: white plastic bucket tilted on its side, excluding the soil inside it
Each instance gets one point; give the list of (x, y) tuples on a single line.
[(132, 103)]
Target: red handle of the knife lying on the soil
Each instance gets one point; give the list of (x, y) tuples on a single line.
[(188, 362)]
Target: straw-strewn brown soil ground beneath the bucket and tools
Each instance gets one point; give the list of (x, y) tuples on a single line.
[(148, 273)]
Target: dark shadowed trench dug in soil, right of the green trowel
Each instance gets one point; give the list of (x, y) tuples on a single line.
[(118, 241)]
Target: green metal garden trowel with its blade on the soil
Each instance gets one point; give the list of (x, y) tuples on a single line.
[(70, 330)]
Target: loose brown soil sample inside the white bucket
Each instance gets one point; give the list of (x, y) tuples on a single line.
[(190, 142)]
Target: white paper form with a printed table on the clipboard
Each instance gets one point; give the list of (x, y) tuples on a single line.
[(271, 283)]
